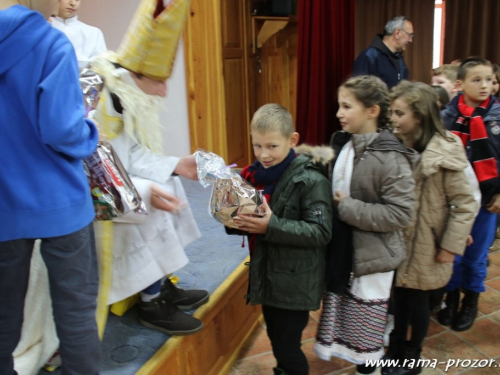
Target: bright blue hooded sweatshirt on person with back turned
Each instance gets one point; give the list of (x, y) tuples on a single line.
[(44, 191)]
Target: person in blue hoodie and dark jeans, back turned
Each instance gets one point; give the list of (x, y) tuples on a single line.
[(44, 190)]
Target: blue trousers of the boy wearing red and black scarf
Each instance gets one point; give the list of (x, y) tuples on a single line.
[(469, 270)]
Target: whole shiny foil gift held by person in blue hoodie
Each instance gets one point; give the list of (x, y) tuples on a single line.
[(113, 193)]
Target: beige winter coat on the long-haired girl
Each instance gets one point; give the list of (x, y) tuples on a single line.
[(443, 217)]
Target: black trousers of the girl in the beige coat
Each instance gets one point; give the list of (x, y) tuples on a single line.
[(411, 308)]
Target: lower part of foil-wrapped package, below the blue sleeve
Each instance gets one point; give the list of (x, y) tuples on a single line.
[(113, 193)]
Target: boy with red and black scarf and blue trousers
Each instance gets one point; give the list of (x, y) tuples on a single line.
[(474, 116)]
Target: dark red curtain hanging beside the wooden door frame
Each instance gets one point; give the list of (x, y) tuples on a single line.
[(325, 58)]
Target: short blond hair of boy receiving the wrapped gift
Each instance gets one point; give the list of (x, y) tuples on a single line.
[(272, 117)]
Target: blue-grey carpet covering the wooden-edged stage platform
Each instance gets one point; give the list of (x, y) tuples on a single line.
[(127, 345)]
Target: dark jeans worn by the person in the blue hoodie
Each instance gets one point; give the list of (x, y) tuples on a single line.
[(73, 278)]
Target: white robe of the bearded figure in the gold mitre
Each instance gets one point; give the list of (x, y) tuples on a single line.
[(147, 247)]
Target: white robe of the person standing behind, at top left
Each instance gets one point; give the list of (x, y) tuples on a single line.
[(88, 41)]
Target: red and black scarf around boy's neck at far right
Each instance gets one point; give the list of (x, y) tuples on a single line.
[(471, 129)]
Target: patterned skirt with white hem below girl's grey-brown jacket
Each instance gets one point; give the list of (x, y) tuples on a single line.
[(352, 326)]
